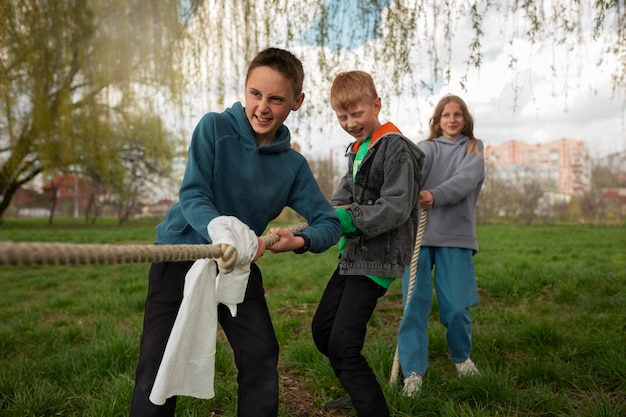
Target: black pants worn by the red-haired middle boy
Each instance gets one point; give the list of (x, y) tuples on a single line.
[(339, 328)]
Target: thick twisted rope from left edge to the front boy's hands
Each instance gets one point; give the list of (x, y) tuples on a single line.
[(41, 253)]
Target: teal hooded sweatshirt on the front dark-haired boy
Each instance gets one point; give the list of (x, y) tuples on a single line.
[(228, 174)]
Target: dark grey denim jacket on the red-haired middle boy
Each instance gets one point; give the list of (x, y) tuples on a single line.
[(382, 202)]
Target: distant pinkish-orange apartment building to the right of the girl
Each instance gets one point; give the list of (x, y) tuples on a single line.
[(562, 165)]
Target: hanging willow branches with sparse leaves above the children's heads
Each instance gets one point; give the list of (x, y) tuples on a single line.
[(409, 46)]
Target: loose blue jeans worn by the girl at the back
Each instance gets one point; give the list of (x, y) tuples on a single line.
[(455, 287)]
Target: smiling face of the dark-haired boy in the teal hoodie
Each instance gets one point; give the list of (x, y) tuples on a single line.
[(270, 97)]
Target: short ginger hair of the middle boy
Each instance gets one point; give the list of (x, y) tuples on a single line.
[(350, 88)]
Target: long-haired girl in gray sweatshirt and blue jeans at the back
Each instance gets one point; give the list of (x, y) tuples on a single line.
[(453, 175)]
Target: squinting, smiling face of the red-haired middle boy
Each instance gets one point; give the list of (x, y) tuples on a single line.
[(361, 119)]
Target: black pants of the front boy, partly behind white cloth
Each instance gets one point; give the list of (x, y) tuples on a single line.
[(251, 336)]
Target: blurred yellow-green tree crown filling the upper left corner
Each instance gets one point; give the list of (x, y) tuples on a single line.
[(70, 70)]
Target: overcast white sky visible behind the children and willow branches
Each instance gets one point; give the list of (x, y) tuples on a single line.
[(550, 94)]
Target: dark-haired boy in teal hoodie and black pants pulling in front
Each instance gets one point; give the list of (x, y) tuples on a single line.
[(240, 164)]
